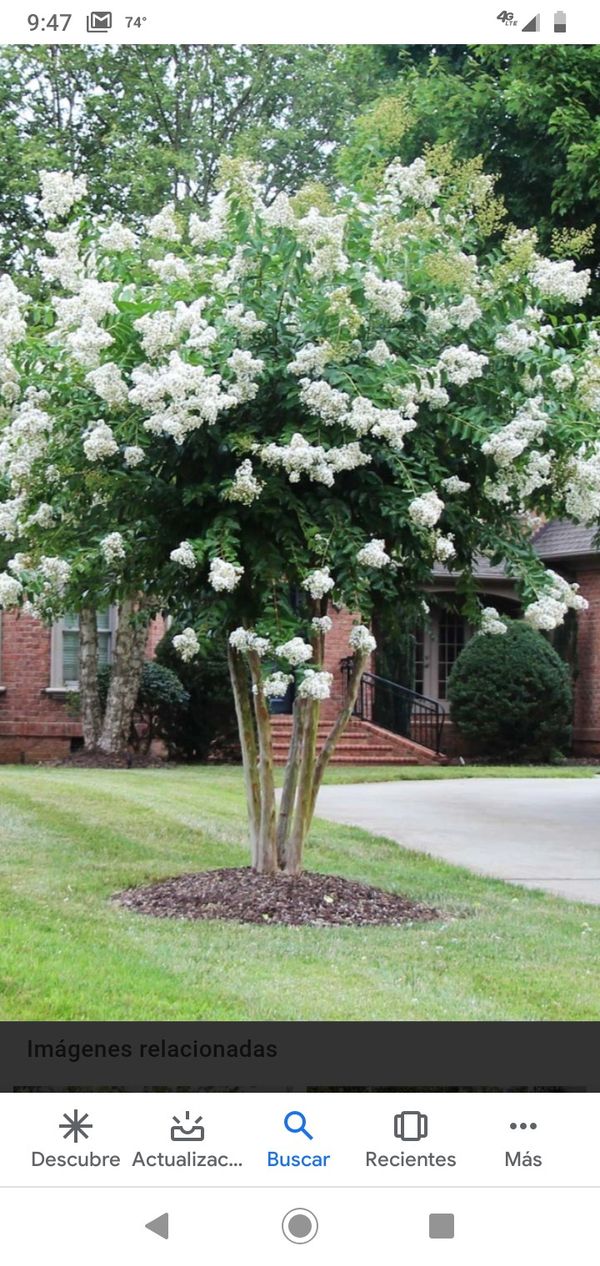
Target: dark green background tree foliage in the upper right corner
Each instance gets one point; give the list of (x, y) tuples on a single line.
[(531, 112)]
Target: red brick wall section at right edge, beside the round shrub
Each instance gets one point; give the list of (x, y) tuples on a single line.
[(587, 731)]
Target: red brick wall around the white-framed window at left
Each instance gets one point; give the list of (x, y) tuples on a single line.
[(34, 725)]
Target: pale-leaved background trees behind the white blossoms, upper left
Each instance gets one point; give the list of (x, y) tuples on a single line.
[(147, 125)]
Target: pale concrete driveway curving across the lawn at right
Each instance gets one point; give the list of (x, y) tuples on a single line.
[(537, 832)]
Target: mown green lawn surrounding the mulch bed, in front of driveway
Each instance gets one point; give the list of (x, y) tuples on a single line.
[(74, 837)]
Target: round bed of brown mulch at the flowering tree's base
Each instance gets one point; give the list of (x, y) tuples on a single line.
[(244, 897)]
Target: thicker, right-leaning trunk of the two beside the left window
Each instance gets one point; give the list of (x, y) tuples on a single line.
[(126, 675)]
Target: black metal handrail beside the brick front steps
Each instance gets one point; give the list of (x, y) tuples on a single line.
[(397, 708)]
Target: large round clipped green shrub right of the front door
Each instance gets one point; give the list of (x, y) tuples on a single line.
[(511, 696)]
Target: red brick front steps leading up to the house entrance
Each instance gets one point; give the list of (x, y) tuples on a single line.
[(363, 744)]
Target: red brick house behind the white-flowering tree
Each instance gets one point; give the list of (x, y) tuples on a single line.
[(39, 669)]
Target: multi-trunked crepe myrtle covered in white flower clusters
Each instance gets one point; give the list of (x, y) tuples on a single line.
[(272, 410)]
